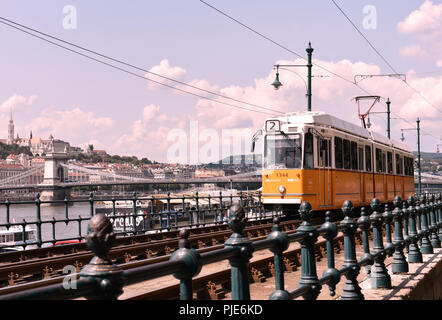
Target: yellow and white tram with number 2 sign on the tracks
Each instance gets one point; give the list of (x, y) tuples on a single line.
[(316, 157)]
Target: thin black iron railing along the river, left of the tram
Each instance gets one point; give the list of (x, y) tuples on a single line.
[(59, 221)]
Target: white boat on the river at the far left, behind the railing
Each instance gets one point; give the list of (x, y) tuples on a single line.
[(12, 239)]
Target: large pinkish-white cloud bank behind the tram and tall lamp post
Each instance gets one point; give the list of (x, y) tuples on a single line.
[(149, 134)]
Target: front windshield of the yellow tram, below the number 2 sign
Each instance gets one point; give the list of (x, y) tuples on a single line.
[(282, 151)]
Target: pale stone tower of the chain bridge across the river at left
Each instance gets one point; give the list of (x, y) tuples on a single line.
[(54, 174)]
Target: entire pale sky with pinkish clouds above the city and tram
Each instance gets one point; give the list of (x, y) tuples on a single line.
[(51, 90)]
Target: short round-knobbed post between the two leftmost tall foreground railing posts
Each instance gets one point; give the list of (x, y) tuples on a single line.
[(192, 265)]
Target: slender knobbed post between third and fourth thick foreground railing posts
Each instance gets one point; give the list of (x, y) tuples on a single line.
[(330, 231)]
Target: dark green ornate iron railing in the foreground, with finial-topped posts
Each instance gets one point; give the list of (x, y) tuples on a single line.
[(419, 220)]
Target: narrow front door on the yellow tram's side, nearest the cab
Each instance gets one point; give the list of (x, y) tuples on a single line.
[(325, 179)]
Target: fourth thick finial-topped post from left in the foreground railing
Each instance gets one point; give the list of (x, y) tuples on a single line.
[(351, 290)]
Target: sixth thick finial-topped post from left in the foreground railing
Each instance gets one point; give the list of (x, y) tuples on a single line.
[(399, 264)]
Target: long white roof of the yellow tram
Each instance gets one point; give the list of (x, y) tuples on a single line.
[(323, 118)]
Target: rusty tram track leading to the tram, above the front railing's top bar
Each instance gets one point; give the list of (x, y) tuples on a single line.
[(128, 252)]
